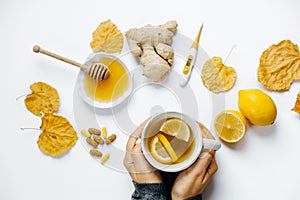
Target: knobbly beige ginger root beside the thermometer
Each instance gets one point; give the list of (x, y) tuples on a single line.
[(152, 44)]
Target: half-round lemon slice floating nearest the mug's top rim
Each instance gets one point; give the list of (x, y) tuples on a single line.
[(177, 128)]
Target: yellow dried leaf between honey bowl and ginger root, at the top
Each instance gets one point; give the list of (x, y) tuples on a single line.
[(107, 38)]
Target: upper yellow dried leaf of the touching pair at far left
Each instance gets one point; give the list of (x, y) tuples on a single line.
[(44, 99)]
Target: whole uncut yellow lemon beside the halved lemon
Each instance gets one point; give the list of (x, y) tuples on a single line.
[(258, 107)]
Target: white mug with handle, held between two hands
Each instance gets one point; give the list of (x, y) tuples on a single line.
[(152, 128)]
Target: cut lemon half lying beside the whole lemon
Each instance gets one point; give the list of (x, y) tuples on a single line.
[(231, 126)]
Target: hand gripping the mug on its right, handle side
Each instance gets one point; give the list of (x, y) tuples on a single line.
[(192, 181)]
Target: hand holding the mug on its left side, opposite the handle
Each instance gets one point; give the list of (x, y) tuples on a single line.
[(136, 164)]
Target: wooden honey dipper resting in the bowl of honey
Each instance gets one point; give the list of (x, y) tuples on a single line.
[(97, 71)]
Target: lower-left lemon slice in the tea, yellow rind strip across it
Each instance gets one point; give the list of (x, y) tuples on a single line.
[(161, 149)]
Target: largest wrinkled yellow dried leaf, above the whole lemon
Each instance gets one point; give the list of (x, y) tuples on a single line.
[(279, 66)]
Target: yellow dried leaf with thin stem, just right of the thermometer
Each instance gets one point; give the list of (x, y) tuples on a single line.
[(216, 76)]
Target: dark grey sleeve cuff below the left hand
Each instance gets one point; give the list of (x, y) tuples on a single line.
[(152, 191)]
